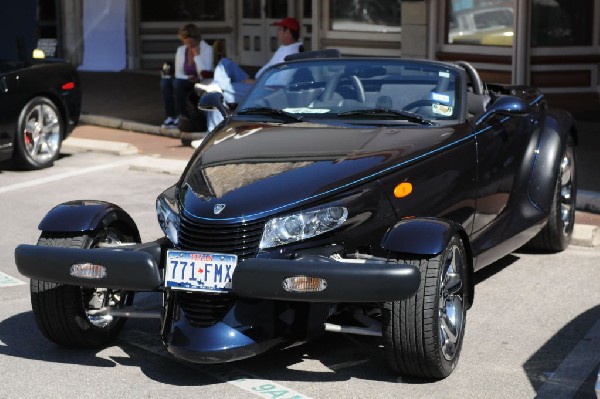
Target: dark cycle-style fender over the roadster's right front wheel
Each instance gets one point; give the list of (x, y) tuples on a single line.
[(428, 237)]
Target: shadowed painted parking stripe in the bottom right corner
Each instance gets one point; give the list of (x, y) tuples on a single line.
[(573, 371)]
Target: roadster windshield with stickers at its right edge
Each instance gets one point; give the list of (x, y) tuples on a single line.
[(417, 92)]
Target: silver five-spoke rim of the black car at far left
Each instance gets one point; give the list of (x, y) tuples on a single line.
[(41, 133)]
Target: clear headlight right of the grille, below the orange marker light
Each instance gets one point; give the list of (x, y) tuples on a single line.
[(302, 225)]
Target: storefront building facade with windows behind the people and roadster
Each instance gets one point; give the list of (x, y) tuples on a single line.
[(552, 44)]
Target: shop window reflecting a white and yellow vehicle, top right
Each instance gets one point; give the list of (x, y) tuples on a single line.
[(481, 22)]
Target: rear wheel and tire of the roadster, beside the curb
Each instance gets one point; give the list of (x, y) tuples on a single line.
[(558, 231)]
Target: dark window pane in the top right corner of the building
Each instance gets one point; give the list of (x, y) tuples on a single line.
[(561, 23)]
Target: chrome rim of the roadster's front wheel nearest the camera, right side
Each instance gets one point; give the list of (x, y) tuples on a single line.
[(451, 307)]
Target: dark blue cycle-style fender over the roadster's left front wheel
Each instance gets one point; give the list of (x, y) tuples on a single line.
[(82, 216)]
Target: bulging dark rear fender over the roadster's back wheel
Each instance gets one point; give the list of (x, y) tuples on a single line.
[(558, 125)]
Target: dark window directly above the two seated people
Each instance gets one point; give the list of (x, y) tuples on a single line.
[(182, 10)]
